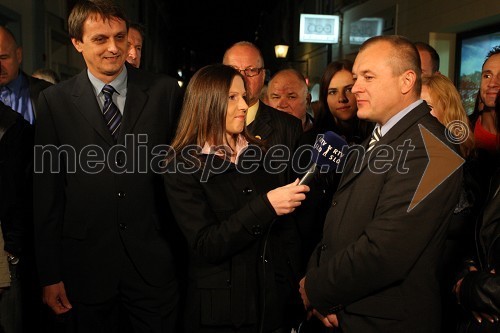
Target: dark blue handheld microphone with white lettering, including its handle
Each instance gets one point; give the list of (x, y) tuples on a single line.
[(326, 153)]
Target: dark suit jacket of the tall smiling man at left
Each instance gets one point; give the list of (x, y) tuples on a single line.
[(88, 214)]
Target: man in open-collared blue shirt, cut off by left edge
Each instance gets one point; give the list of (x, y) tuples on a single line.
[(17, 90)]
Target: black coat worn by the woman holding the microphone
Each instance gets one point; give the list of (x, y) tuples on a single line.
[(229, 224)]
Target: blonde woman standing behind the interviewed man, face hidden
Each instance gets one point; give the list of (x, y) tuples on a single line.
[(446, 105)]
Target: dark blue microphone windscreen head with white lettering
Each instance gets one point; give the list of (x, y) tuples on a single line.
[(329, 150)]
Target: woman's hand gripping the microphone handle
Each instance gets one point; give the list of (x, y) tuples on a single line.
[(286, 198)]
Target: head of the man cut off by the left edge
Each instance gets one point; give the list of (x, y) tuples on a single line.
[(11, 56)]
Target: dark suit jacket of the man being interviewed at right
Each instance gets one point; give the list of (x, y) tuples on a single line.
[(376, 265)]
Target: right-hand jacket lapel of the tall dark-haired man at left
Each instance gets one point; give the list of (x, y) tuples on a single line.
[(134, 104)]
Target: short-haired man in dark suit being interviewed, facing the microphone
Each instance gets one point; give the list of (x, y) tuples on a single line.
[(375, 269)]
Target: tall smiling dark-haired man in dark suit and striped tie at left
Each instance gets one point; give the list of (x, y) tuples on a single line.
[(99, 205)]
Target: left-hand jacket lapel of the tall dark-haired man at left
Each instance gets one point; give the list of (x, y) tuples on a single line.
[(85, 102)]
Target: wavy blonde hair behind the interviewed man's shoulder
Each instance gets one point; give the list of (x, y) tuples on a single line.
[(446, 96)]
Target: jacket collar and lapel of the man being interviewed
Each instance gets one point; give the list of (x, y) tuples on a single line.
[(395, 132)]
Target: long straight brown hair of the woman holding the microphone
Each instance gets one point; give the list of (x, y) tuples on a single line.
[(203, 115)]
